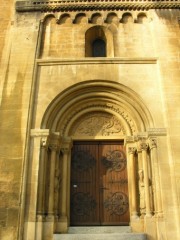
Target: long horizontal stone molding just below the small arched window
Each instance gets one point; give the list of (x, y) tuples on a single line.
[(80, 61)]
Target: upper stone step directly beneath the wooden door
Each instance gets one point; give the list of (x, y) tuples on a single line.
[(102, 229)]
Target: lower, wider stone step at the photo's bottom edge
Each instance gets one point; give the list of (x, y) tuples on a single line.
[(103, 236)]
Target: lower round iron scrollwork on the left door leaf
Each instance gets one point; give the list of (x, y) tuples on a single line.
[(82, 204)]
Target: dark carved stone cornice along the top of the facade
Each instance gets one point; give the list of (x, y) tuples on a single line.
[(91, 5)]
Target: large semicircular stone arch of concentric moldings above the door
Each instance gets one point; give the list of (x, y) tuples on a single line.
[(89, 101)]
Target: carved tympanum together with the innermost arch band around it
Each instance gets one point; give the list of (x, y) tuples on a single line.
[(98, 121)]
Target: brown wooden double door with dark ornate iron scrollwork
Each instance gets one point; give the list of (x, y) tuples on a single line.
[(99, 184)]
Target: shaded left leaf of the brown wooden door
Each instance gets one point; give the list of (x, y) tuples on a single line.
[(84, 185)]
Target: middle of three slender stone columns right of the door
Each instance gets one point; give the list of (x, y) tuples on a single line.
[(144, 148)]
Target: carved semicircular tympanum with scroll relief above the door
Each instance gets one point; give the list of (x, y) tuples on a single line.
[(101, 124)]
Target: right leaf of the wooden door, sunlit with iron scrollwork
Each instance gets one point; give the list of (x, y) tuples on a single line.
[(114, 206)]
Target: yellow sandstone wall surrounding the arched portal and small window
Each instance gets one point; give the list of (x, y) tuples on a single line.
[(156, 82)]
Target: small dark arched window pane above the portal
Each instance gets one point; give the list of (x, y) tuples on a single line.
[(99, 48)]
